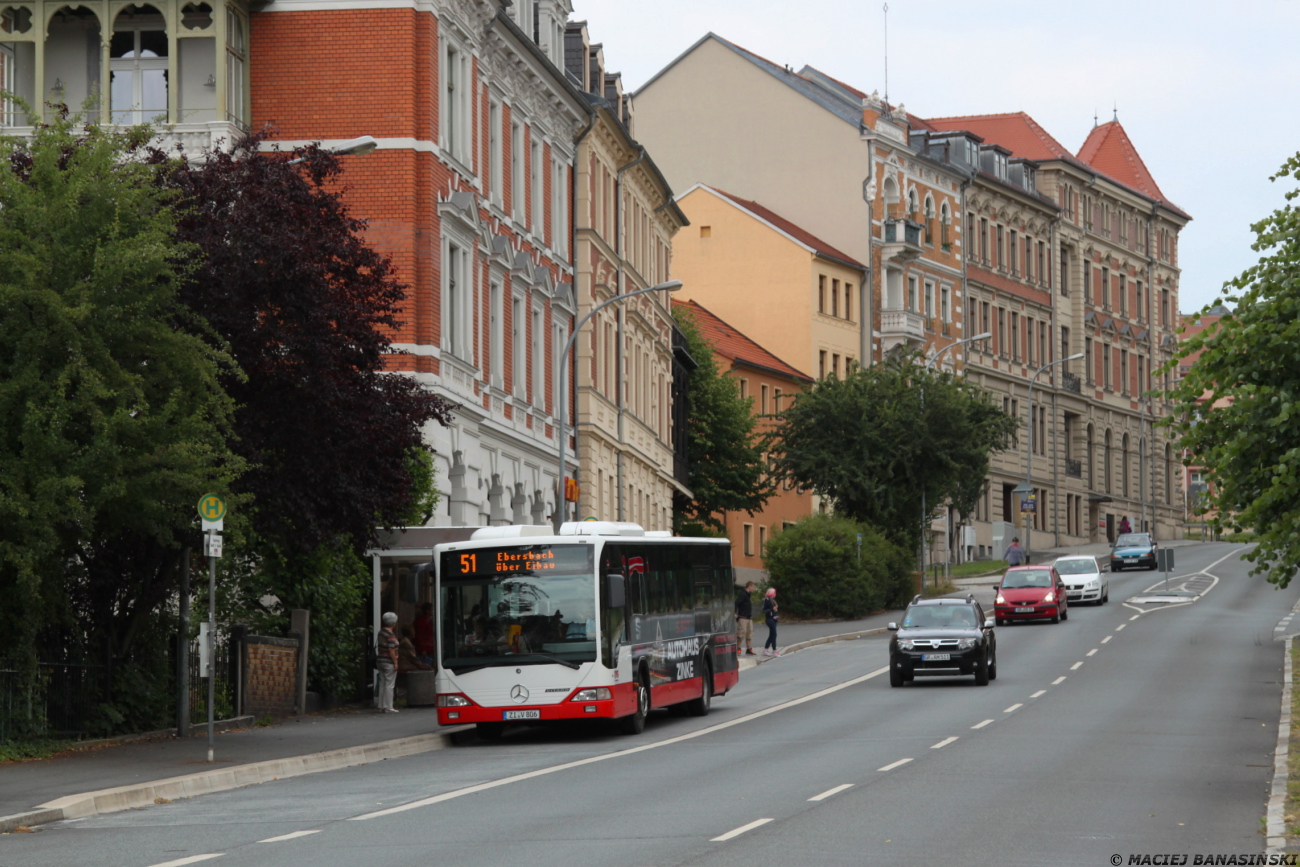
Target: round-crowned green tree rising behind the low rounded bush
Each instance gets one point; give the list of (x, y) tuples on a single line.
[(872, 444)]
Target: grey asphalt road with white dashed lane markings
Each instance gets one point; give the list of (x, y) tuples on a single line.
[(1117, 732)]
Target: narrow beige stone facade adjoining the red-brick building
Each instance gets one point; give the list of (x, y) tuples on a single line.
[(626, 220)]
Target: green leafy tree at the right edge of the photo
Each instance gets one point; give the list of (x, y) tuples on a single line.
[(1249, 371)]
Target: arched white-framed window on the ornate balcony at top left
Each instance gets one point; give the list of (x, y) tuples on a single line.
[(138, 67)]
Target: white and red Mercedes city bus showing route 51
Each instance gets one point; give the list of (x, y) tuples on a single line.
[(601, 622)]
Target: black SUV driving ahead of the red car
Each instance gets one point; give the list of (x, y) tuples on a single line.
[(943, 638)]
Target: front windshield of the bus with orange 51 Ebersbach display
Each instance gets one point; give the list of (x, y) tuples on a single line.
[(515, 605)]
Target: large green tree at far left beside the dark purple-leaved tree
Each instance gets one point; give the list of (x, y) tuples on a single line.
[(112, 417)]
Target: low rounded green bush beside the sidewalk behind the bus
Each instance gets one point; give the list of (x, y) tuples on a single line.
[(821, 570)]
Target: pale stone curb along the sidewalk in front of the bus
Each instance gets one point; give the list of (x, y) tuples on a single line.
[(141, 795)]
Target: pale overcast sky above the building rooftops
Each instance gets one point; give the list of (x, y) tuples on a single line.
[(1207, 92)]
